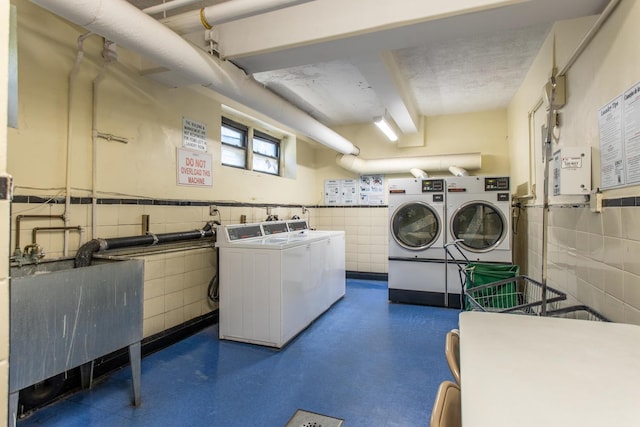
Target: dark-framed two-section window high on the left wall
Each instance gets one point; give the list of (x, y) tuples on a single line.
[(248, 148)]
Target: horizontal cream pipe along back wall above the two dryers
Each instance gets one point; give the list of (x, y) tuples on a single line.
[(441, 163)]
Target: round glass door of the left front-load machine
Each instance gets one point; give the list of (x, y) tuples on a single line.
[(415, 226)]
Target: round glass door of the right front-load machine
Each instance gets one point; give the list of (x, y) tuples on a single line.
[(480, 225)]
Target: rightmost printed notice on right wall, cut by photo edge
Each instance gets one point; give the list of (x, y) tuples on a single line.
[(631, 121)]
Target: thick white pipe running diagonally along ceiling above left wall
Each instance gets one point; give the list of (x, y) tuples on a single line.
[(124, 24)]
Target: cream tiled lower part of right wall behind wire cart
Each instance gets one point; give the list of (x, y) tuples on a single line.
[(593, 257)]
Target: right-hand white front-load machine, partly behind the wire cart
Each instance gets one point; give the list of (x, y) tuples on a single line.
[(478, 211)]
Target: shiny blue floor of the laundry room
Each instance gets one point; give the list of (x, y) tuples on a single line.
[(366, 361)]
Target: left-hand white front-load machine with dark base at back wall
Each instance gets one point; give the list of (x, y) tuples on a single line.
[(417, 230)]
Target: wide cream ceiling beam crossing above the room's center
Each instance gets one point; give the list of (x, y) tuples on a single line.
[(324, 20)]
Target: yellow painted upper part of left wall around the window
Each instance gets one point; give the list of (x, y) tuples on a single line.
[(147, 113)]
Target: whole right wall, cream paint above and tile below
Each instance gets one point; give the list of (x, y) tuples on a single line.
[(591, 256)]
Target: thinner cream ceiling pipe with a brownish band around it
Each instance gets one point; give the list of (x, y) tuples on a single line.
[(224, 12)]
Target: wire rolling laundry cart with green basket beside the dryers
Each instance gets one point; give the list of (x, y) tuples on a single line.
[(500, 287)]
